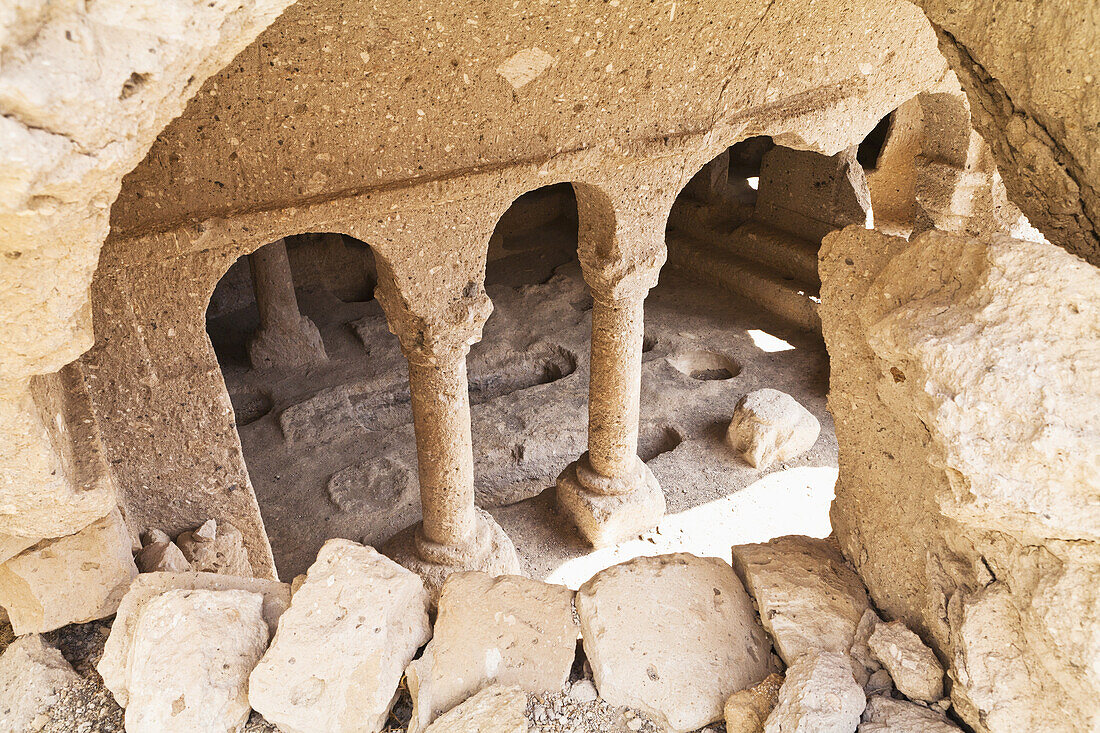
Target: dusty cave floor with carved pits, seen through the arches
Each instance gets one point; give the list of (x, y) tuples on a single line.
[(332, 452)]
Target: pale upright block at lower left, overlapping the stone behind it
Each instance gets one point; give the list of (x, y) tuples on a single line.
[(192, 654)]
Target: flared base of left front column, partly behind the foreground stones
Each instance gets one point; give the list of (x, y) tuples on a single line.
[(492, 552)]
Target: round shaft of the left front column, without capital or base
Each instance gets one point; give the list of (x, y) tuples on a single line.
[(445, 451)]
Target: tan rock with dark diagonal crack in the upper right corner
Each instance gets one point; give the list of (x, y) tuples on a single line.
[(1030, 70)]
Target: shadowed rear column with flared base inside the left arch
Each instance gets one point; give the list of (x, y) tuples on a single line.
[(287, 340)]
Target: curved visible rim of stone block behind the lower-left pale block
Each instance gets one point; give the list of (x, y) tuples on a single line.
[(115, 666)]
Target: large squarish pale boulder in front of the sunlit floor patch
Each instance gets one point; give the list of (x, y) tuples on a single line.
[(673, 637)]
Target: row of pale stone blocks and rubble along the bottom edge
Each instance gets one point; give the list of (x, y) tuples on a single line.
[(785, 640)]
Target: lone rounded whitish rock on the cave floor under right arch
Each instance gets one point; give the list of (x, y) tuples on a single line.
[(771, 426)]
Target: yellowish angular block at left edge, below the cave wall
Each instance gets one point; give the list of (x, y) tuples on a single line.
[(72, 579)]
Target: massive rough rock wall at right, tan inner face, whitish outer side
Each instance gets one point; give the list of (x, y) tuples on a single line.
[(966, 391)]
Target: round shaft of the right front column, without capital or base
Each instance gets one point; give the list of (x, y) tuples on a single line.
[(615, 386)]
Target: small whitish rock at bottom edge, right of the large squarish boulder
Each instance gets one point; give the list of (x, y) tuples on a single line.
[(819, 696)]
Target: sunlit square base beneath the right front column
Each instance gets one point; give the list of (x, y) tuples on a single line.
[(606, 519)]
